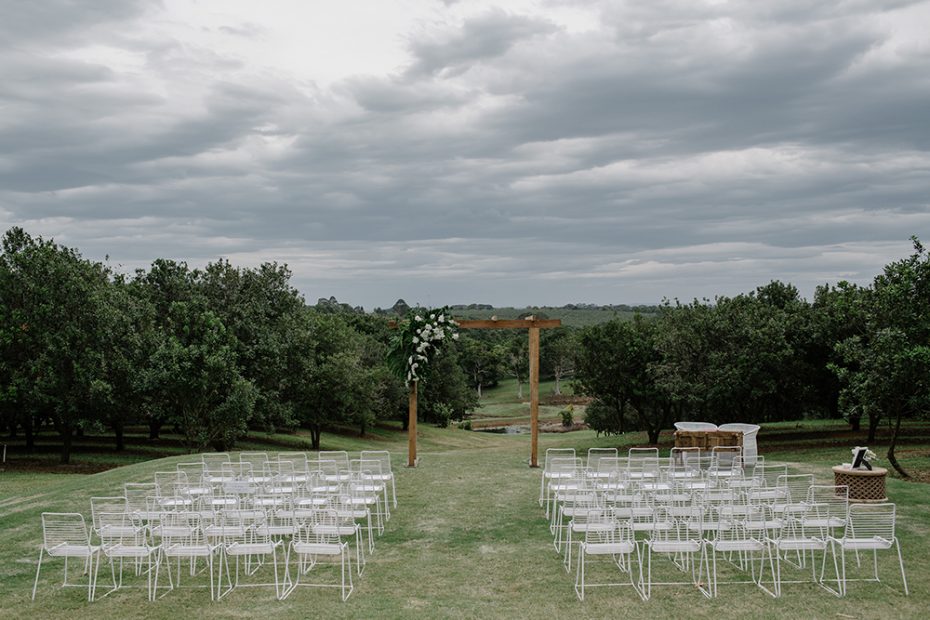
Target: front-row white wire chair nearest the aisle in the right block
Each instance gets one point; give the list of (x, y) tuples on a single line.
[(605, 537)]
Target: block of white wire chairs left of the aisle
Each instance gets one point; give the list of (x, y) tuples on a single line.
[(218, 512)]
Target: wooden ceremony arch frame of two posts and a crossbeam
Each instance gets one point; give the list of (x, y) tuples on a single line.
[(533, 325)]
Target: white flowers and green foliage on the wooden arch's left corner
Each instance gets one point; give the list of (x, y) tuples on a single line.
[(420, 338)]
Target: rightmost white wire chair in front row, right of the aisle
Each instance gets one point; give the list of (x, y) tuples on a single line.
[(869, 527)]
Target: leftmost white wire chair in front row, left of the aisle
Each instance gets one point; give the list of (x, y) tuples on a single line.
[(65, 535)]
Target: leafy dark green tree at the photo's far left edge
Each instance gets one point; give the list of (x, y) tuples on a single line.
[(52, 319)]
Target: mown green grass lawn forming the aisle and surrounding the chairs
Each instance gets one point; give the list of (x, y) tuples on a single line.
[(467, 541)]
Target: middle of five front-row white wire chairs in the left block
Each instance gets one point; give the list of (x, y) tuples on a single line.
[(181, 537)]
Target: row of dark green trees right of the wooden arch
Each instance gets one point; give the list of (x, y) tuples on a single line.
[(860, 352)]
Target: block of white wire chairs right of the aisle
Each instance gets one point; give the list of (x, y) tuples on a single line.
[(754, 521)]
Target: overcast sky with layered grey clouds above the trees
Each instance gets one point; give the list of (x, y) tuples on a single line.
[(513, 153)]
